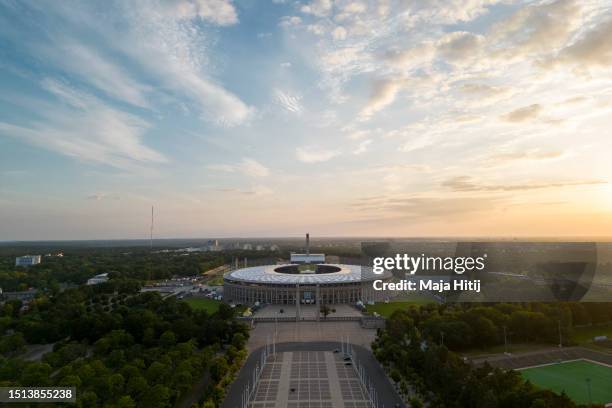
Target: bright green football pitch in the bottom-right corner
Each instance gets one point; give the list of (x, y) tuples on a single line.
[(571, 377)]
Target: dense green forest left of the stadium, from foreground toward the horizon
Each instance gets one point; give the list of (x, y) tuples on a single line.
[(119, 347)]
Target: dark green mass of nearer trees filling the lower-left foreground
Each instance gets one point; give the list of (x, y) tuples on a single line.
[(121, 348)]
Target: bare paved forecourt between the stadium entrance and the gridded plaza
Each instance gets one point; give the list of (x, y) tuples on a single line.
[(305, 332)]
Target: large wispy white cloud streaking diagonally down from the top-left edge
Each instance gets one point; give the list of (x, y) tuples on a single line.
[(163, 42)]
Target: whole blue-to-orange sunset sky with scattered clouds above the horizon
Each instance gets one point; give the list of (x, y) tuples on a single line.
[(258, 118)]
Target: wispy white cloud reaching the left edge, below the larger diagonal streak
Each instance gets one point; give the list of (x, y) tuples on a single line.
[(85, 128)]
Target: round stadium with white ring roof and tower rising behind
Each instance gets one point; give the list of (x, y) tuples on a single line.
[(306, 279)]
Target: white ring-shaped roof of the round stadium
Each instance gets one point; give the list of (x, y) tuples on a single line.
[(267, 274)]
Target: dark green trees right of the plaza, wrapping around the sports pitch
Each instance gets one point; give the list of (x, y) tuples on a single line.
[(426, 365)]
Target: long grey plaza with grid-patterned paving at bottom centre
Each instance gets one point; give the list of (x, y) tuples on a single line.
[(308, 379)]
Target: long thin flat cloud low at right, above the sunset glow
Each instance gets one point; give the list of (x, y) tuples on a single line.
[(466, 183)]
